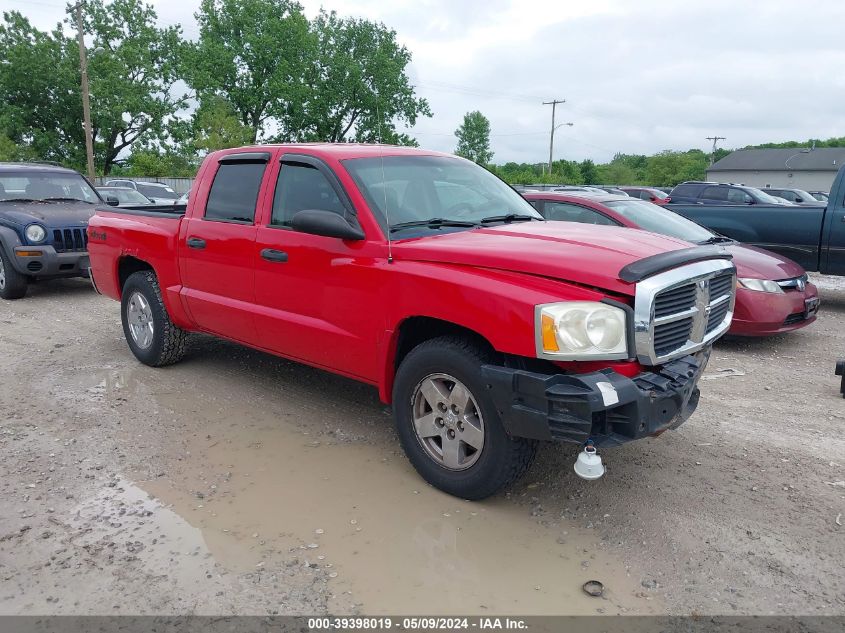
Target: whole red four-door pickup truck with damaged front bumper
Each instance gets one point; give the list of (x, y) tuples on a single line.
[(487, 328)]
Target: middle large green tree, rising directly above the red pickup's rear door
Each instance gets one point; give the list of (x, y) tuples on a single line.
[(255, 54)]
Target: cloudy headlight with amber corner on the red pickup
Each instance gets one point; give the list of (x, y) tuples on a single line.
[(575, 330)]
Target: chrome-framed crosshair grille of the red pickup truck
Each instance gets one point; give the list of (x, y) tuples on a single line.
[(681, 311)]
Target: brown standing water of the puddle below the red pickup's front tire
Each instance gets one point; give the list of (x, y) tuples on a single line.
[(397, 545)]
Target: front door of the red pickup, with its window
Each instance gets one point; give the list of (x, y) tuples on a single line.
[(315, 295)]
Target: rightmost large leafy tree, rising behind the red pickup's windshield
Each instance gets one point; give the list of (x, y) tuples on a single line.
[(357, 86)]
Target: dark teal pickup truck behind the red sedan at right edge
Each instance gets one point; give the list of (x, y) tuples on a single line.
[(813, 236)]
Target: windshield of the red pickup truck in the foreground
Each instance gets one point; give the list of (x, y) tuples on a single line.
[(428, 193)]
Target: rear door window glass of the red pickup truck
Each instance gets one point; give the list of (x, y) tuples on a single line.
[(234, 192)]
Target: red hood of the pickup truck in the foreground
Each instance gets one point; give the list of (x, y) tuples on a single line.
[(586, 254)]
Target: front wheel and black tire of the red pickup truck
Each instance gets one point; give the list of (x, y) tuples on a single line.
[(447, 423)]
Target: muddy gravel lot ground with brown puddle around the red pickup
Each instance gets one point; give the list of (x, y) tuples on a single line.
[(236, 482)]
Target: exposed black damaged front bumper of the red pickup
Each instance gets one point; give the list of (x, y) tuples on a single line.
[(603, 406)]
